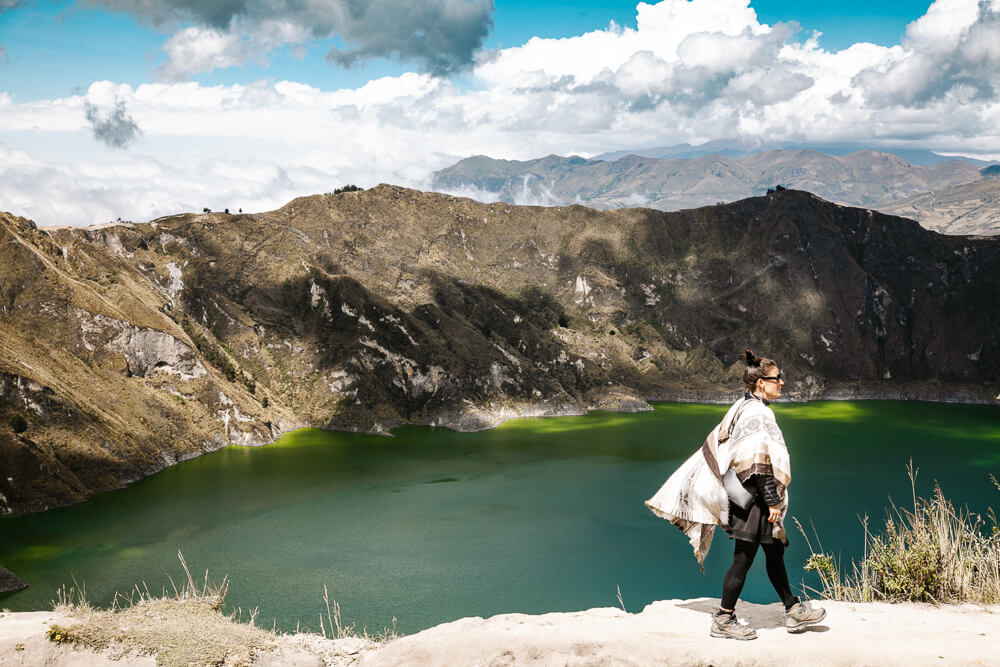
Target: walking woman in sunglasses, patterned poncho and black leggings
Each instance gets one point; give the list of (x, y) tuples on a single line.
[(747, 443)]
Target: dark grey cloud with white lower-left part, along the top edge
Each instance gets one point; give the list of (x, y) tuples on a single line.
[(440, 36)]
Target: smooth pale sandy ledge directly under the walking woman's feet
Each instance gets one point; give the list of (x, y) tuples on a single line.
[(675, 632)]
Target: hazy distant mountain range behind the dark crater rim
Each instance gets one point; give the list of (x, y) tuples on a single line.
[(864, 178)]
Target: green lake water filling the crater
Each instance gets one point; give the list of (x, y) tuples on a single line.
[(537, 515)]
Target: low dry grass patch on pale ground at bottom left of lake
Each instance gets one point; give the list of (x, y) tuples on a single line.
[(188, 627)]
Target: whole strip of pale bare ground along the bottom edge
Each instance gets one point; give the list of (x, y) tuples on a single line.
[(671, 632)]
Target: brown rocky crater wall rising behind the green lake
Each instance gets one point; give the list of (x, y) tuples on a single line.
[(127, 347)]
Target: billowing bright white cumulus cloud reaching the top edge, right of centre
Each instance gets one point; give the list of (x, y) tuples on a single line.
[(685, 54)]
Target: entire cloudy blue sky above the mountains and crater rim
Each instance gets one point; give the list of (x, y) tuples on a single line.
[(141, 108)]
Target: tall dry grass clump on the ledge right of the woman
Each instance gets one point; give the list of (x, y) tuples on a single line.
[(932, 553)]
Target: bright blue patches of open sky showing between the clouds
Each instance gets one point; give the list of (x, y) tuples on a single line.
[(56, 46)]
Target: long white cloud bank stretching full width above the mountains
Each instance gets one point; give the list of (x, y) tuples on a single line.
[(690, 72)]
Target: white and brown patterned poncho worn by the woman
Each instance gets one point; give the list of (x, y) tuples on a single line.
[(694, 499)]
